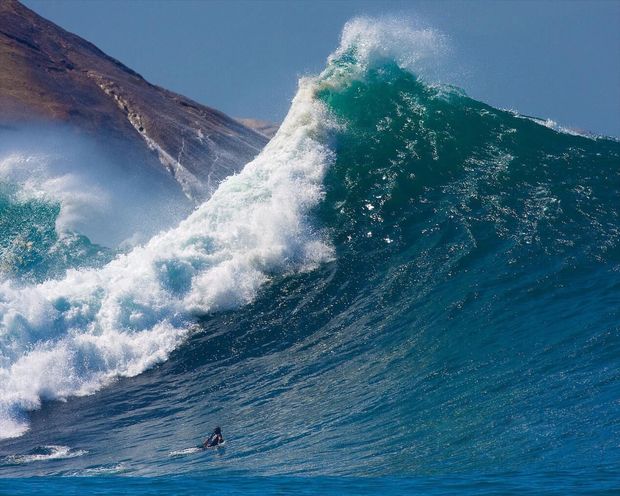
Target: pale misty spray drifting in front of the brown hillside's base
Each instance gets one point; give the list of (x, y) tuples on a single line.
[(107, 195)]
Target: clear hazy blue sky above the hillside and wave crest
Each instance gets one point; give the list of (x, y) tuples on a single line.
[(551, 59)]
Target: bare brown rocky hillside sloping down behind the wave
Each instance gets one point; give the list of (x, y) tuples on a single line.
[(48, 74)]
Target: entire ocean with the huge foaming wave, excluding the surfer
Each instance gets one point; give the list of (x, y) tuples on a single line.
[(407, 291)]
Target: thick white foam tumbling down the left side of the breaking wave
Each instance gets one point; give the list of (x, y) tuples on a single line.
[(73, 336)]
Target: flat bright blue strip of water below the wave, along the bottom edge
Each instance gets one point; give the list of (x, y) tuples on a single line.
[(500, 484)]
